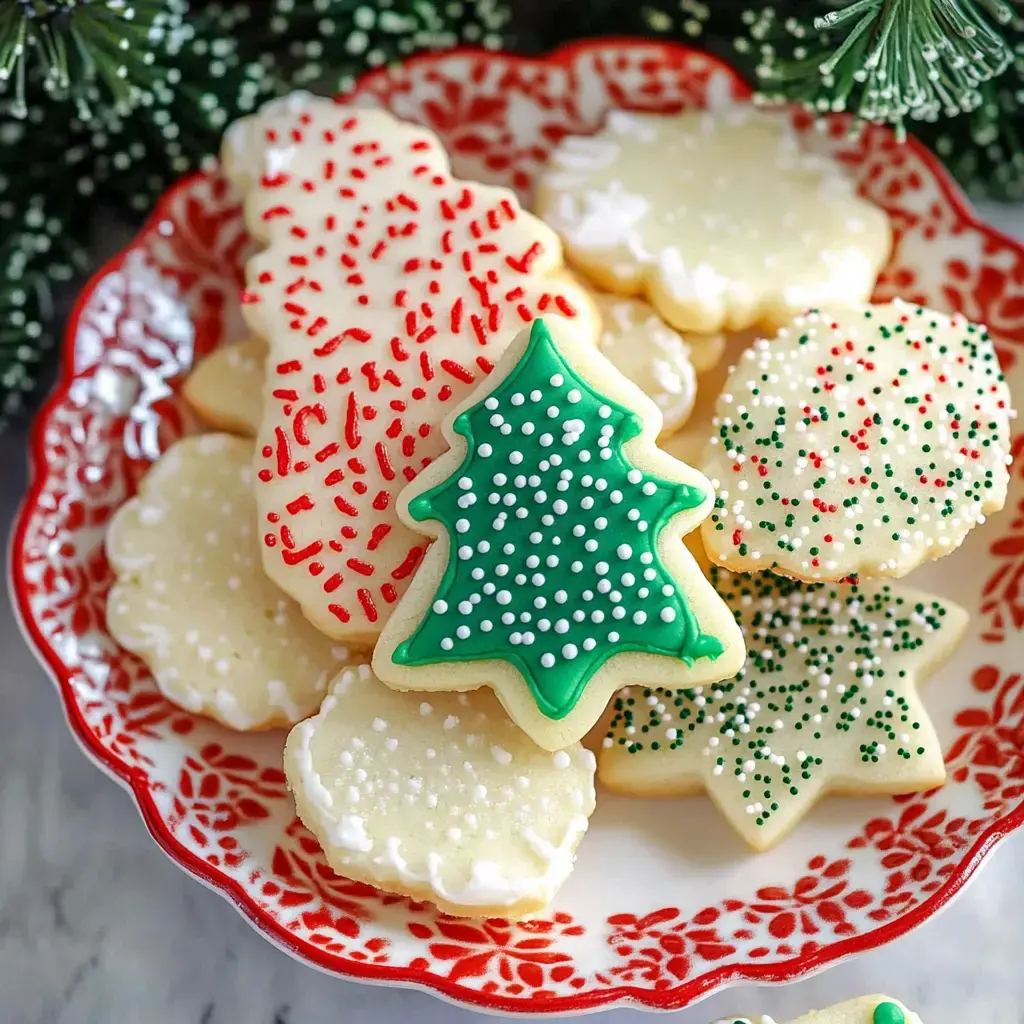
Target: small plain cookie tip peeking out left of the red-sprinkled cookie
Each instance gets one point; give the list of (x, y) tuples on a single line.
[(226, 390)]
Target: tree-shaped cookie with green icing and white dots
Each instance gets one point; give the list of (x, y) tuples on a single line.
[(559, 572)]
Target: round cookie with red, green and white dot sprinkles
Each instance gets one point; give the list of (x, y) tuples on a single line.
[(861, 442)]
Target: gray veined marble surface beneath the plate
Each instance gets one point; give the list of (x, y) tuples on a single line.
[(99, 927)]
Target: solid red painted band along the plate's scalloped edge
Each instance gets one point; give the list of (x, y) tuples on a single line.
[(134, 780)]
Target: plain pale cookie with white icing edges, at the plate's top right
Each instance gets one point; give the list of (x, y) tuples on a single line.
[(721, 220)]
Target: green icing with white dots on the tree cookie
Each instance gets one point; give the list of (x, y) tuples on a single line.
[(553, 563)]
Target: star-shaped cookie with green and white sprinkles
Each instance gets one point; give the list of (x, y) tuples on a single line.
[(827, 702)]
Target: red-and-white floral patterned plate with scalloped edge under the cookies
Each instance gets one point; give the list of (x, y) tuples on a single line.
[(666, 905)]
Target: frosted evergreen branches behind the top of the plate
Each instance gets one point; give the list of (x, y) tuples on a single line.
[(113, 100)]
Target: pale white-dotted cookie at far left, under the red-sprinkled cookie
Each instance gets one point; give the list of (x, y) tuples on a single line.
[(192, 600)]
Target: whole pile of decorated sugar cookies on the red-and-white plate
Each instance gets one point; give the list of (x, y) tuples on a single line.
[(448, 523)]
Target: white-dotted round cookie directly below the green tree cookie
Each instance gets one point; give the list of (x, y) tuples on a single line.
[(439, 798)]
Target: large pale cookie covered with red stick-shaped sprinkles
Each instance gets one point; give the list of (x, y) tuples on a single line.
[(387, 291)]
